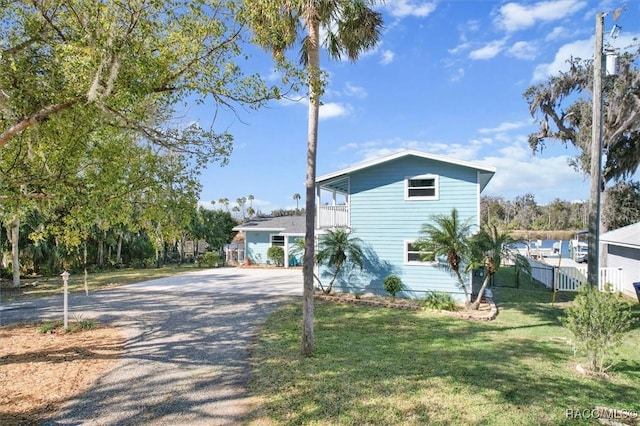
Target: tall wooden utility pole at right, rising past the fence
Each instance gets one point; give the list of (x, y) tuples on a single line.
[(593, 257)]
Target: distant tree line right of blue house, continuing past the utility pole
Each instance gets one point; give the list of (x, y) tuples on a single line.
[(621, 207)]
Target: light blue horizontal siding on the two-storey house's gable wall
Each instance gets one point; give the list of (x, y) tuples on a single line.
[(384, 220)]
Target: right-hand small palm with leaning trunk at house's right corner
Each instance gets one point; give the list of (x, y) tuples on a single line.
[(489, 248)]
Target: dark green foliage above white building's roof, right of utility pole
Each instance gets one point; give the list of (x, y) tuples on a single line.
[(621, 205)]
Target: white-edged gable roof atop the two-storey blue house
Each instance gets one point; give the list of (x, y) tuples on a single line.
[(486, 172)]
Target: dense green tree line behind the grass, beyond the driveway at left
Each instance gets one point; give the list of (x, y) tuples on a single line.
[(115, 247)]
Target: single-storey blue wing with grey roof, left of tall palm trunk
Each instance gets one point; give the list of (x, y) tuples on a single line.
[(264, 232)]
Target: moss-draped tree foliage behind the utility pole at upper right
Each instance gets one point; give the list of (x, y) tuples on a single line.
[(564, 113)]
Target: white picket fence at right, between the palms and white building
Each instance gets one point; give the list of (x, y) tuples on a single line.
[(570, 278)]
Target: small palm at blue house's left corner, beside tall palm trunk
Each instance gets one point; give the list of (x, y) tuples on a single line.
[(338, 247)]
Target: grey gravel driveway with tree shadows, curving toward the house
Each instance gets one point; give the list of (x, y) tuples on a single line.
[(186, 355)]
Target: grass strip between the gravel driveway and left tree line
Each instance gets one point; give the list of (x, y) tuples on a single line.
[(95, 281)]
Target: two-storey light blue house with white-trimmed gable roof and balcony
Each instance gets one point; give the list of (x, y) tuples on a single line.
[(385, 203)]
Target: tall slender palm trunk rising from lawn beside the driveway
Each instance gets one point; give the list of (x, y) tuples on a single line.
[(308, 338)]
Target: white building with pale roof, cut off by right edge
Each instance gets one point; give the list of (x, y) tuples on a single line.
[(623, 251)]
